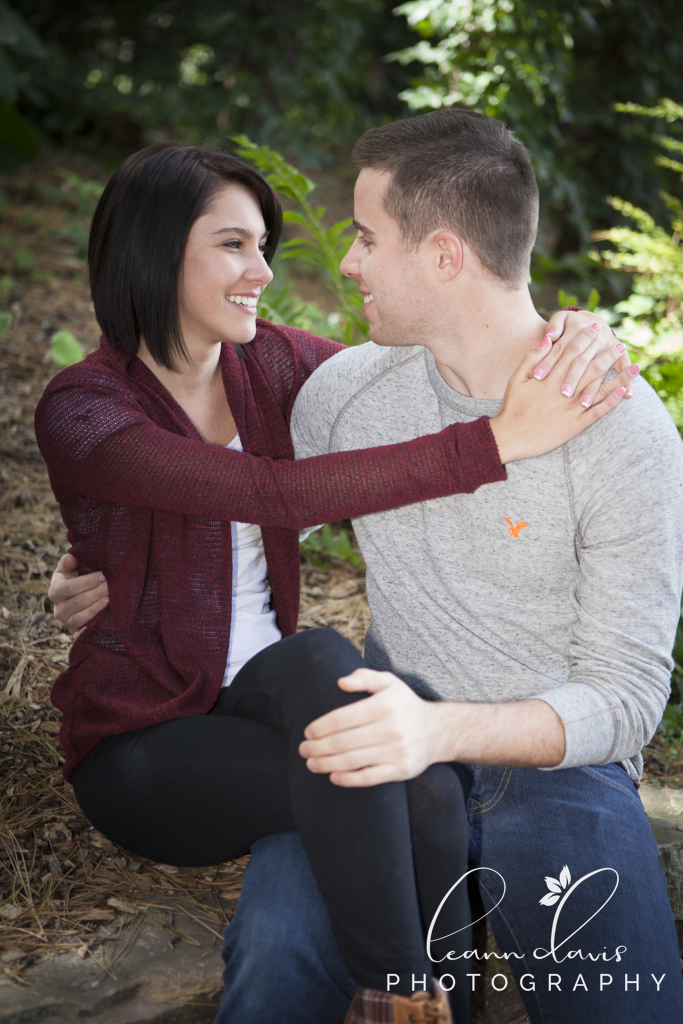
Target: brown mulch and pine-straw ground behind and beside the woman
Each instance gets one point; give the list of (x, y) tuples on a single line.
[(63, 885)]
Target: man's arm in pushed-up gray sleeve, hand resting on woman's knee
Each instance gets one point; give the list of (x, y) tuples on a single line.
[(628, 487)]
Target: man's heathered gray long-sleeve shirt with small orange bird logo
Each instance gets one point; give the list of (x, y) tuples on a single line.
[(562, 583)]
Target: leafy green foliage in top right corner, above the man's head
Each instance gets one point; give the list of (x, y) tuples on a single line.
[(541, 69)]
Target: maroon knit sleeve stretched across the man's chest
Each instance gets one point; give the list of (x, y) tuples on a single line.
[(100, 445)]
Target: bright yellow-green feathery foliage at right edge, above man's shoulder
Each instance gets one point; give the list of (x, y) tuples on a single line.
[(651, 321)]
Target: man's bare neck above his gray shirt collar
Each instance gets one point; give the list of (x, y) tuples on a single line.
[(484, 342)]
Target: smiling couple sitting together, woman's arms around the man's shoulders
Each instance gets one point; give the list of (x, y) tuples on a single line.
[(523, 528)]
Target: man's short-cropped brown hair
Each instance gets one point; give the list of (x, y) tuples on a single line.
[(460, 170)]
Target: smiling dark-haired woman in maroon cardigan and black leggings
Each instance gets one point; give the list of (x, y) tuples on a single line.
[(184, 709)]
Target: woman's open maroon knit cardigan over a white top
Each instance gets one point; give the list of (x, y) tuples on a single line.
[(149, 503)]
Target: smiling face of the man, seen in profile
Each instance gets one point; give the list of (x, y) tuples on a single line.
[(397, 285)]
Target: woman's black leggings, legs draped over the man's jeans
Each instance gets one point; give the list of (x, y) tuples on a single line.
[(201, 790)]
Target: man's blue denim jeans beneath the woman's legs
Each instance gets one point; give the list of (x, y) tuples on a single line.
[(580, 835)]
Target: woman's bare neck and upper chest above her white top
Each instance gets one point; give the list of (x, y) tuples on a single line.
[(197, 386)]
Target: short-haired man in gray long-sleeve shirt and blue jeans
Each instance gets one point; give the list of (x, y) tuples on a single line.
[(541, 611)]
